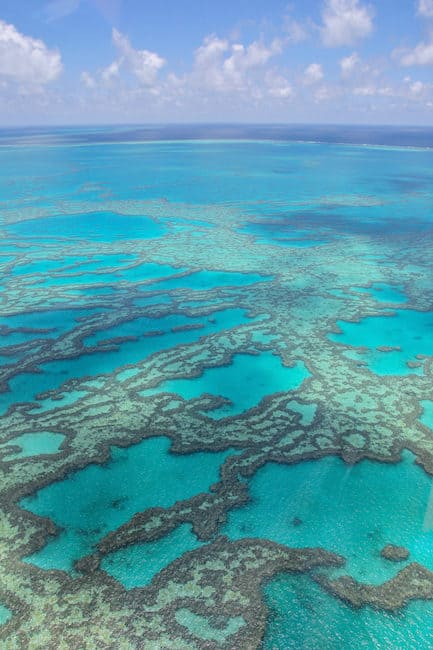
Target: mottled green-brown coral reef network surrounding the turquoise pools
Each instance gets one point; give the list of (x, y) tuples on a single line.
[(357, 415)]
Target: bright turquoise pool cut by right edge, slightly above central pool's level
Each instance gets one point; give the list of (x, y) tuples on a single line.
[(405, 329)]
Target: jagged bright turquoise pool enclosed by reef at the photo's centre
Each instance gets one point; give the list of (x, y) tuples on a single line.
[(245, 382)]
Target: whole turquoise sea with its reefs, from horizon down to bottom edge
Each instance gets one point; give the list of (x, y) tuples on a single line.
[(216, 387)]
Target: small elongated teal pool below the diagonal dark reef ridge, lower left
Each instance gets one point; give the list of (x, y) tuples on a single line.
[(136, 565)]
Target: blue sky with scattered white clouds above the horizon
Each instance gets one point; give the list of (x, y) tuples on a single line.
[(256, 61)]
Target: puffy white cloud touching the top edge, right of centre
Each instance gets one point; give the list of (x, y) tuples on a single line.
[(345, 22)]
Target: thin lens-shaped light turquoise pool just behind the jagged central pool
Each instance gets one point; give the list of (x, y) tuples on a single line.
[(203, 280)]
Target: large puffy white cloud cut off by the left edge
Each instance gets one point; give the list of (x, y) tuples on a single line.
[(25, 59)]
